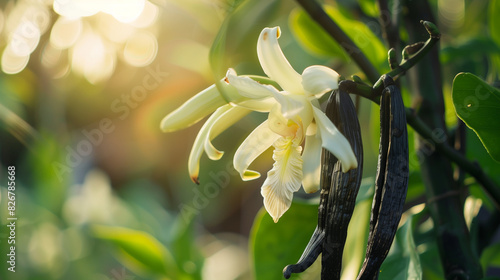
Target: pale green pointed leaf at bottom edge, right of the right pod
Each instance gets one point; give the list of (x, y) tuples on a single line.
[(403, 261)]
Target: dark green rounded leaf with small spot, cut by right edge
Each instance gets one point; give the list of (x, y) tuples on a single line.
[(478, 105)]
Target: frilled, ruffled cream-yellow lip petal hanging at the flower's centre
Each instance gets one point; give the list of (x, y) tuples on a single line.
[(284, 178)]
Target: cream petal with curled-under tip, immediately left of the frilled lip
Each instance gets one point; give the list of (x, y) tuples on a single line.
[(254, 145)]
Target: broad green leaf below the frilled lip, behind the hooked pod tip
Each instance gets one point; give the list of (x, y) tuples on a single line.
[(275, 245)]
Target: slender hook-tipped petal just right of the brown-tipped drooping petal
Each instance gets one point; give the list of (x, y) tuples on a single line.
[(227, 119)]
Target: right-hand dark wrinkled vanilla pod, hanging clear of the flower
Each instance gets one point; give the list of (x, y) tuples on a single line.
[(391, 182)]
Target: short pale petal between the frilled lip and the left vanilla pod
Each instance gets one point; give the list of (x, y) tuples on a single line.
[(312, 163)]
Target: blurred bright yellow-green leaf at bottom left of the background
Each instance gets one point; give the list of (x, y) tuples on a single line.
[(138, 250)]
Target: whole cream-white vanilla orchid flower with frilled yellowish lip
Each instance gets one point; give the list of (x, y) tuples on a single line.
[(294, 117)]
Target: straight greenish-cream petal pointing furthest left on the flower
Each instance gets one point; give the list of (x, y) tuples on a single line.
[(193, 110)]
